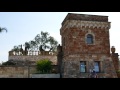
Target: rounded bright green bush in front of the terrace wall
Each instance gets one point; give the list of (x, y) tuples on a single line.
[(44, 66)]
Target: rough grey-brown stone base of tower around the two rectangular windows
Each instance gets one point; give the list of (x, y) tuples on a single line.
[(71, 66)]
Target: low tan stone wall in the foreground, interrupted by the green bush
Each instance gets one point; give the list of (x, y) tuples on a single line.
[(18, 71)]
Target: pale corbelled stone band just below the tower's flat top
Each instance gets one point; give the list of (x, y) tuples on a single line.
[(84, 24)]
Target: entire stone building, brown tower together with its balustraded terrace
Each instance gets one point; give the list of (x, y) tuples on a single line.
[(85, 47)]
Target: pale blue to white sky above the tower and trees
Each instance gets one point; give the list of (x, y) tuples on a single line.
[(24, 26)]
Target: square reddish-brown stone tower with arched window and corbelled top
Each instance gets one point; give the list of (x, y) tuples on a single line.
[(86, 46)]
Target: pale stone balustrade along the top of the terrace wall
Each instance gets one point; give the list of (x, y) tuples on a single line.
[(13, 53)]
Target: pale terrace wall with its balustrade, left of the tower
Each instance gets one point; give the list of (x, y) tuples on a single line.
[(32, 58)]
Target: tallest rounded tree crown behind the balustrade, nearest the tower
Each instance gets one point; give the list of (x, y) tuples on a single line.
[(45, 41)]
